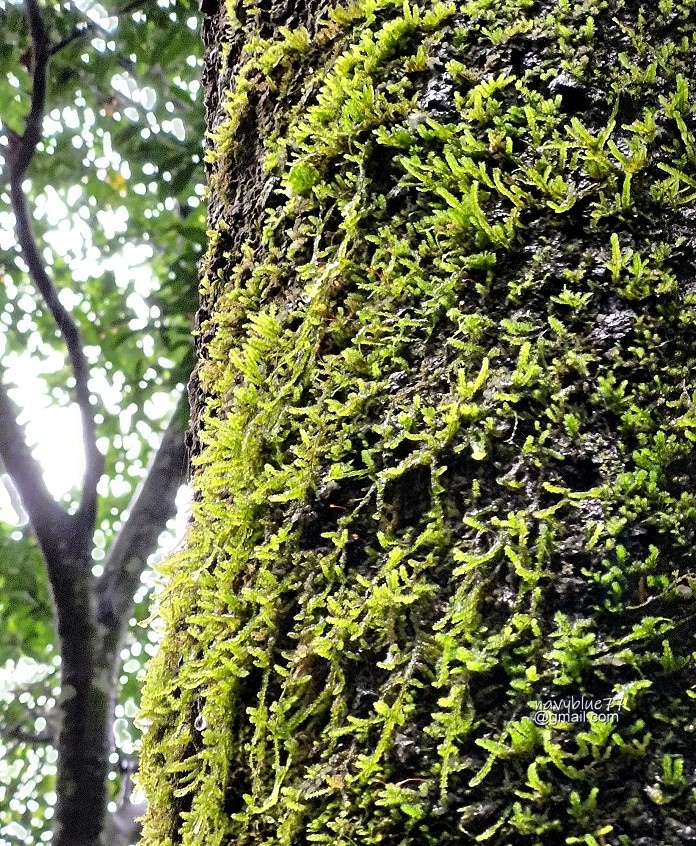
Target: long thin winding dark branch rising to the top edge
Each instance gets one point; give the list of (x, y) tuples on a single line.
[(21, 152)]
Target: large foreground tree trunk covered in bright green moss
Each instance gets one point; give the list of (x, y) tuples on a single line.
[(446, 420)]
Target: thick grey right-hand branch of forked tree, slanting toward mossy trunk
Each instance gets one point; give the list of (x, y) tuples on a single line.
[(152, 505)]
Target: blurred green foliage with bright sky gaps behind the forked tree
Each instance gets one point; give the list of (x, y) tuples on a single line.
[(116, 190)]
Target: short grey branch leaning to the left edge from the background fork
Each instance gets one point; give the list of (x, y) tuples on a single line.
[(47, 517)]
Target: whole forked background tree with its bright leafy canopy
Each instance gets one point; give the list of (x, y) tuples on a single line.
[(101, 147)]
